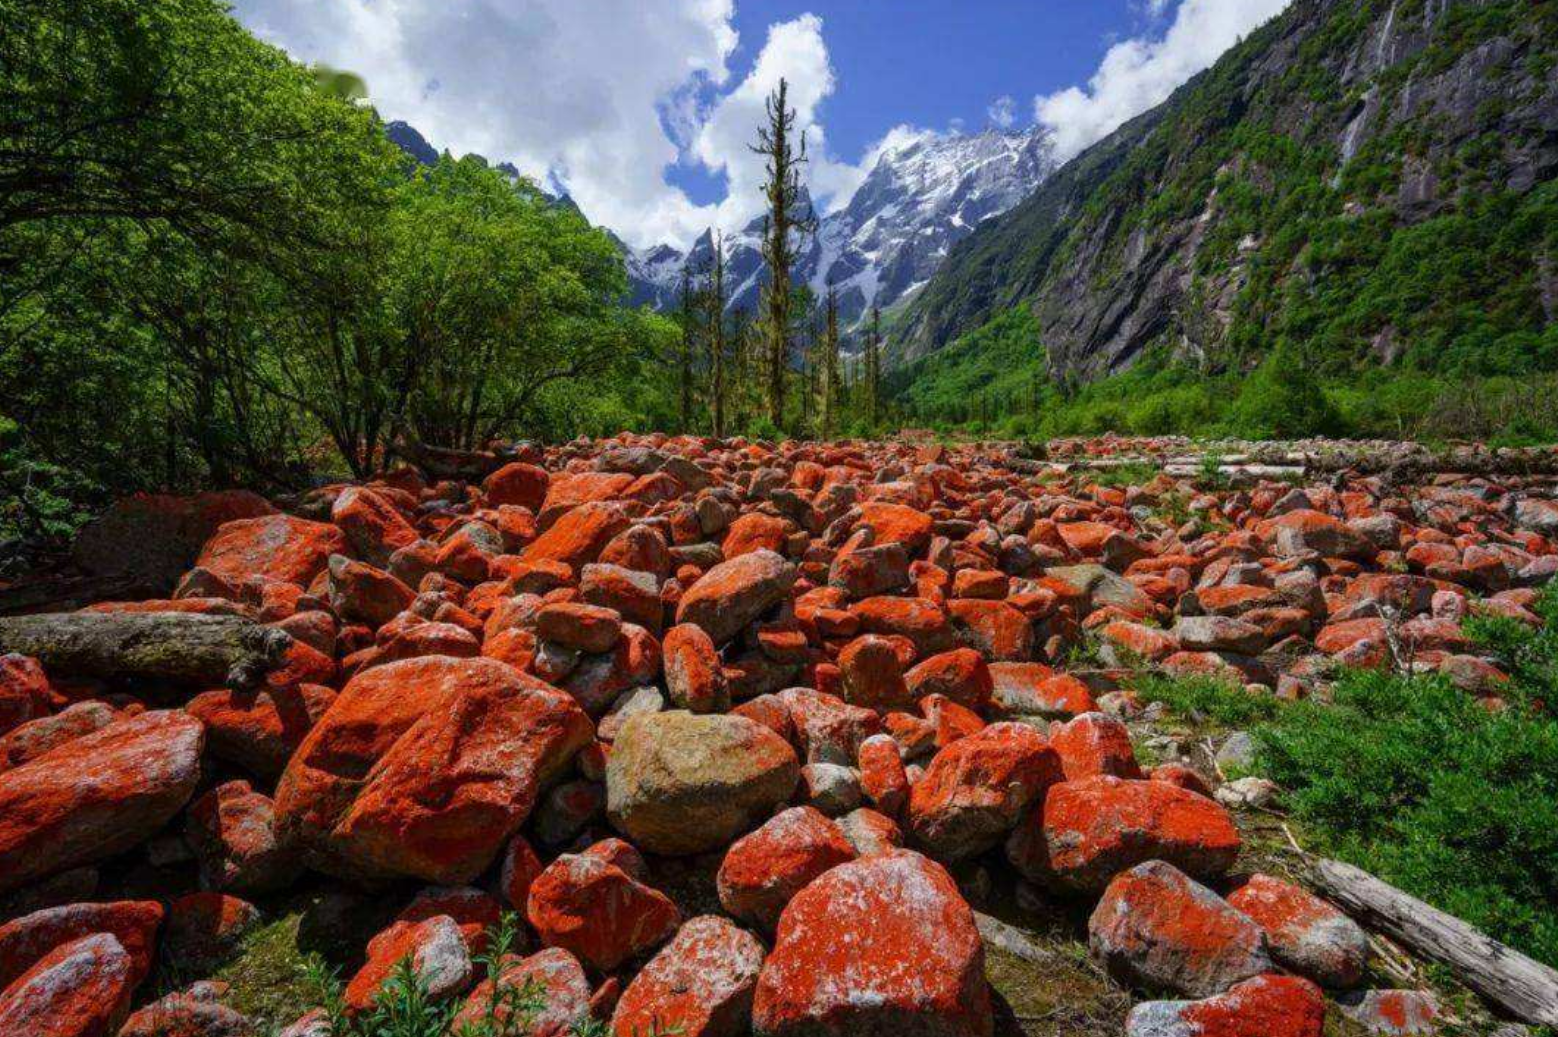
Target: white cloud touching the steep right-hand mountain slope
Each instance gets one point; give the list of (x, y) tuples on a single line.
[(1140, 74)]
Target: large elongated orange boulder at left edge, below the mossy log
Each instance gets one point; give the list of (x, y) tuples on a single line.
[(97, 796)]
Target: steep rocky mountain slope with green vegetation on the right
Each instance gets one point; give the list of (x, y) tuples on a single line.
[(1369, 180)]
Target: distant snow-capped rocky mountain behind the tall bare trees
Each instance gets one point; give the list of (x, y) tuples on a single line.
[(920, 199)]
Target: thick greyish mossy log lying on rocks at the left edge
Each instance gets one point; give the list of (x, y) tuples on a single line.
[(180, 647)]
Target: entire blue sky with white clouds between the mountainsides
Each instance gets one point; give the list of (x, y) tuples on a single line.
[(643, 110)]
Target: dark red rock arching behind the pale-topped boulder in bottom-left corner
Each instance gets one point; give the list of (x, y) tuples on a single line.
[(29, 940)]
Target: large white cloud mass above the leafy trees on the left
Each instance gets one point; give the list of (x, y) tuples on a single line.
[(590, 94)]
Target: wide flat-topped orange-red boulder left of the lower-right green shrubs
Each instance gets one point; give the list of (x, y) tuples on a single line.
[(1087, 832)]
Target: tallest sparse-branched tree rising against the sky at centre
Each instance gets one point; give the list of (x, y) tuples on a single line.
[(784, 155)]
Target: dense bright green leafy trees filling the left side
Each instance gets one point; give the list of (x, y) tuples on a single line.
[(217, 270)]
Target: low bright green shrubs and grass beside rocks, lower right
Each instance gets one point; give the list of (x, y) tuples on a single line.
[(1422, 784)]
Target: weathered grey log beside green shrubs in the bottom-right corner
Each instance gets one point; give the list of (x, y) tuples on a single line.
[(1506, 979)]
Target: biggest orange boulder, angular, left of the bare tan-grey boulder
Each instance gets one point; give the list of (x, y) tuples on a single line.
[(426, 767)]
